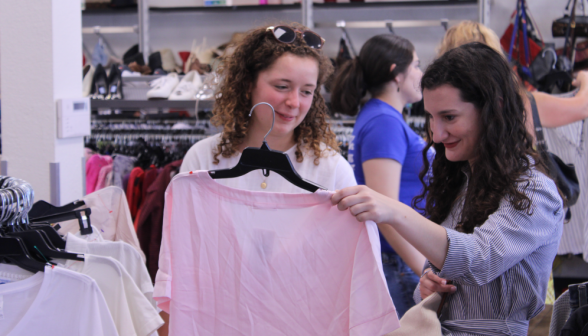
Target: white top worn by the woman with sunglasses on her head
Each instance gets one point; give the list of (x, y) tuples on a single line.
[(333, 171)]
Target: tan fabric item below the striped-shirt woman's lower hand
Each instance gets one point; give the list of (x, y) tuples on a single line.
[(422, 319)]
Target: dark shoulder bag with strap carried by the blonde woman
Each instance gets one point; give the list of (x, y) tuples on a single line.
[(562, 173)]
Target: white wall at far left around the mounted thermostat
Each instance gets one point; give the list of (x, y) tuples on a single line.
[(41, 48)]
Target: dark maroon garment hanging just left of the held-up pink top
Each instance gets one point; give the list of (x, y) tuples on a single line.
[(150, 223)]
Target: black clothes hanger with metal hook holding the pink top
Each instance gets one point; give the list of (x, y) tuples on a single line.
[(266, 159)]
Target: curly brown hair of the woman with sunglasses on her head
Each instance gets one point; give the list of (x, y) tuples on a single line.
[(257, 52)]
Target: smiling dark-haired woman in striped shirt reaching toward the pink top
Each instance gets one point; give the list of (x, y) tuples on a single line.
[(501, 217)]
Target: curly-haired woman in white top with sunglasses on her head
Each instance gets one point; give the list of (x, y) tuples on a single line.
[(282, 66)]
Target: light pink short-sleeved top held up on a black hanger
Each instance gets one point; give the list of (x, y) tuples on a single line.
[(236, 262)]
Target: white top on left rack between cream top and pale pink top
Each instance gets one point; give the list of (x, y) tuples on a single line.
[(124, 253)]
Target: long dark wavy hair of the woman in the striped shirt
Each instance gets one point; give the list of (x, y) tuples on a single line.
[(504, 150)]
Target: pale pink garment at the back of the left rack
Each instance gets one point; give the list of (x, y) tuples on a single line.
[(110, 215)]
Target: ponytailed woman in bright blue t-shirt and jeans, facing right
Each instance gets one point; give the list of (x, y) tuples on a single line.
[(386, 154)]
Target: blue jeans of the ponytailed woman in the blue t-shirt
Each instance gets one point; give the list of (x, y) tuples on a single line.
[(401, 282)]
